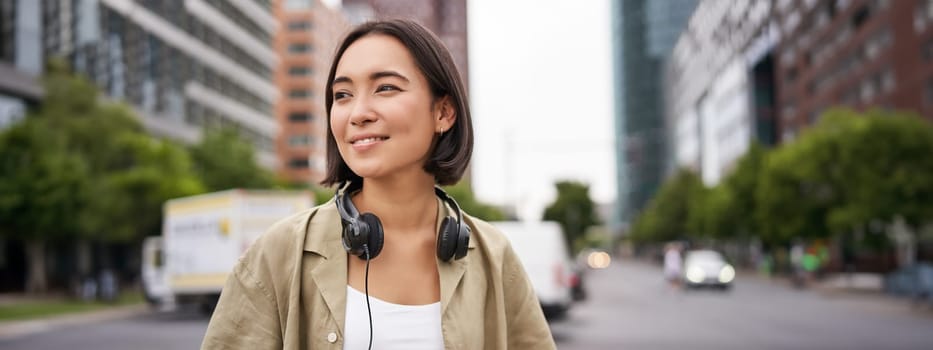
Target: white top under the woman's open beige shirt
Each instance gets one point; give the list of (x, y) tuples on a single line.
[(395, 326)]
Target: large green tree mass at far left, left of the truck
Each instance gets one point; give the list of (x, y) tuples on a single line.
[(81, 168)]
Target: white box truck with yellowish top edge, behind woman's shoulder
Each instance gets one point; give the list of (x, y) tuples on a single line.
[(202, 238)]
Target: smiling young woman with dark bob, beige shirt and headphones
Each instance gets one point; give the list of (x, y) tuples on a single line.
[(391, 262)]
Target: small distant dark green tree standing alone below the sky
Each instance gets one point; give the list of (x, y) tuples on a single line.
[(573, 210)]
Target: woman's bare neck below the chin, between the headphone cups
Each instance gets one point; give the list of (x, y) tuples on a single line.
[(402, 206)]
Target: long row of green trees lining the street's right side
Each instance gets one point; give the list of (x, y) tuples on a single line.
[(848, 172)]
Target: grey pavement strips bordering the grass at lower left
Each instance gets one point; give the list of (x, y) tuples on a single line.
[(19, 328)]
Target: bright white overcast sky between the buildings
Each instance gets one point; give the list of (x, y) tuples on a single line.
[(541, 92)]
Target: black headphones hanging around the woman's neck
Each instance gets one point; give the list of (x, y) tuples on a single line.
[(363, 232)]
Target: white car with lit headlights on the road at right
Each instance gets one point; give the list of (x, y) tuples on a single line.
[(707, 268)]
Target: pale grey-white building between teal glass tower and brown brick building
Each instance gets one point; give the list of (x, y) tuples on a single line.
[(719, 87)]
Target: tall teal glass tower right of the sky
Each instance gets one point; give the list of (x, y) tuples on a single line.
[(643, 34)]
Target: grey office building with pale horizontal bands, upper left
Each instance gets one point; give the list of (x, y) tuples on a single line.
[(184, 65)]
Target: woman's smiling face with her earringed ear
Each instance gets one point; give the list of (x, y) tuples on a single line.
[(383, 118)]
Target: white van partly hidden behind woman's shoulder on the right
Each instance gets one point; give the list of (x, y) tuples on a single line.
[(542, 249)]
